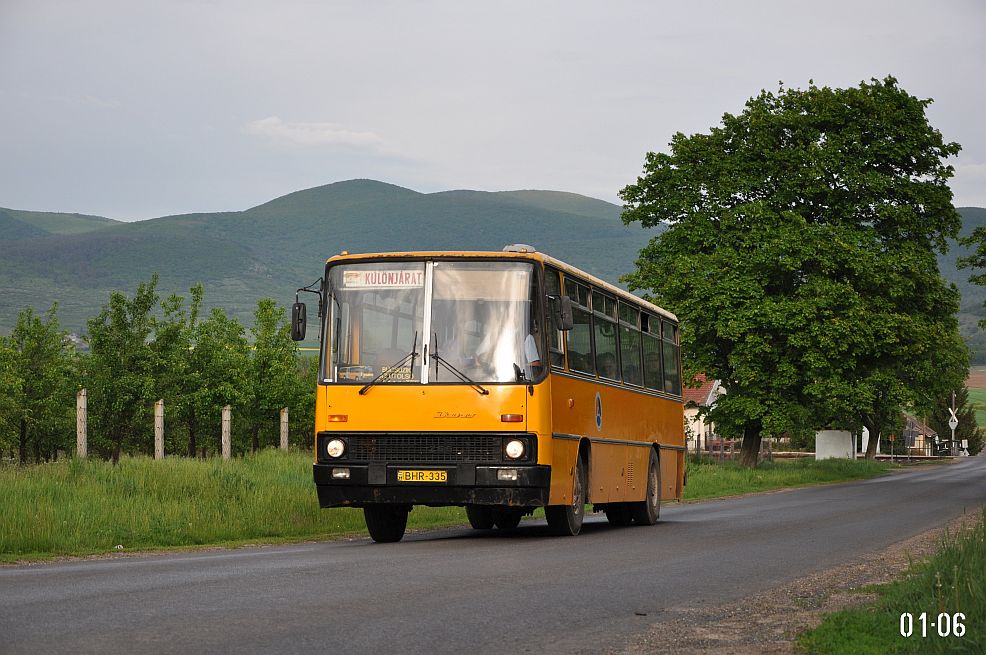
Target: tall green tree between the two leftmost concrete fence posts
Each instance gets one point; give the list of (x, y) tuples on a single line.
[(120, 371)]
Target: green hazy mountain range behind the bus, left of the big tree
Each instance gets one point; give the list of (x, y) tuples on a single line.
[(272, 249)]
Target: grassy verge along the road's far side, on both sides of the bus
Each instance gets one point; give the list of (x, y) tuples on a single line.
[(83, 507)]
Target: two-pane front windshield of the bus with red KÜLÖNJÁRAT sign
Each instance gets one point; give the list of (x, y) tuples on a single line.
[(474, 321)]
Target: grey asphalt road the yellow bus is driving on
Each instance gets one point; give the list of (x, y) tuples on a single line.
[(459, 590)]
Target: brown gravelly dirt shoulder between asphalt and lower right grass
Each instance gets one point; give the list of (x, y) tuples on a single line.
[(768, 623)]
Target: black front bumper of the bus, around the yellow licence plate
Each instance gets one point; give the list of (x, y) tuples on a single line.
[(466, 484)]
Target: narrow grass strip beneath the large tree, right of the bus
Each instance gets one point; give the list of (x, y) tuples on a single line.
[(710, 480)]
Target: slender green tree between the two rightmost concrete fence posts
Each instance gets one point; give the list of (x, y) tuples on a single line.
[(271, 384)]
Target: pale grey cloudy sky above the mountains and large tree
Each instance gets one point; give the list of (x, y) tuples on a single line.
[(139, 109)]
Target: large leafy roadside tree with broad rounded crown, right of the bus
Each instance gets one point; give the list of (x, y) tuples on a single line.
[(799, 251)]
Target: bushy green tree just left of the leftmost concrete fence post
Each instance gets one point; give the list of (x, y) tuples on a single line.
[(45, 383)]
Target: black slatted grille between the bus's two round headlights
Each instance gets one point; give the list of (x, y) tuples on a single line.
[(425, 447)]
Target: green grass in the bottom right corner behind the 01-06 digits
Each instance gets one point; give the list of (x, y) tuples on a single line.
[(953, 581)]
